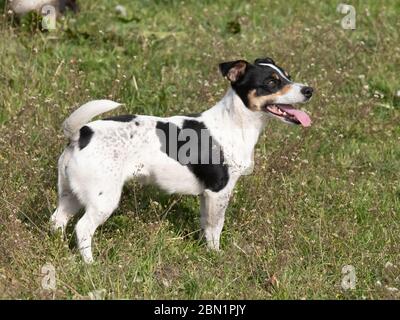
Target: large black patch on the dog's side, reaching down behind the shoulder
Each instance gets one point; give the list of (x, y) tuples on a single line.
[(215, 176)]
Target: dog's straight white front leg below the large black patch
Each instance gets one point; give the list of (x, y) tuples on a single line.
[(212, 208)]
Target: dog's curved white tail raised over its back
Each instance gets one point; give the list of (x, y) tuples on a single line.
[(84, 114)]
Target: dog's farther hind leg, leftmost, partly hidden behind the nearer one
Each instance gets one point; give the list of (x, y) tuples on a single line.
[(68, 203)]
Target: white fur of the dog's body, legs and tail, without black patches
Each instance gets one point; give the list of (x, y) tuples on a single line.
[(118, 151)]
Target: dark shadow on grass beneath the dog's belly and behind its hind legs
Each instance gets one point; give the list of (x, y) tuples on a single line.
[(146, 203)]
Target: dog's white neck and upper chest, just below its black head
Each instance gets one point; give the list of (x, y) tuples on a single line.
[(235, 126)]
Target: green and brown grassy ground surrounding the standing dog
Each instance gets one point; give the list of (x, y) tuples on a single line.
[(319, 199)]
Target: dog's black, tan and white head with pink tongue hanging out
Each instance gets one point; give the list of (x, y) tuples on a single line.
[(265, 87)]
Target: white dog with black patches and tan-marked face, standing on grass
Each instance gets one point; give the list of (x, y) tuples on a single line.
[(202, 154)]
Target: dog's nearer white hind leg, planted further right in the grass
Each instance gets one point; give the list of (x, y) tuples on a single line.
[(99, 208)]
